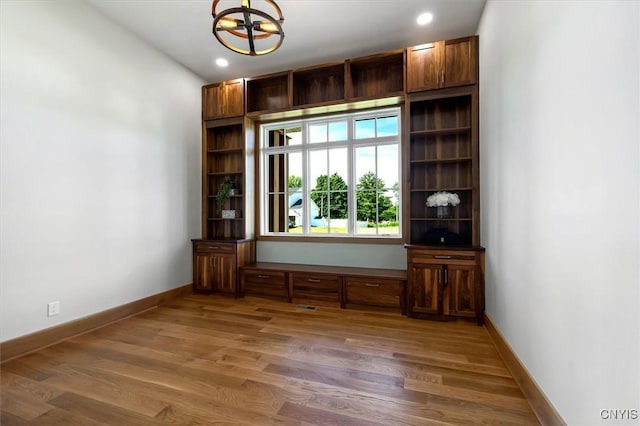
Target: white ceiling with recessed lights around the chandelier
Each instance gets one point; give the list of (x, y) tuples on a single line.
[(316, 31)]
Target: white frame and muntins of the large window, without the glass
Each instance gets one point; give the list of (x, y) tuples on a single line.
[(304, 149)]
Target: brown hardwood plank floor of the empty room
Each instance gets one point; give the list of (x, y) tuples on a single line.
[(203, 360)]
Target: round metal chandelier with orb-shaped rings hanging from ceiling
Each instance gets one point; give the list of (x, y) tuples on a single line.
[(245, 24)]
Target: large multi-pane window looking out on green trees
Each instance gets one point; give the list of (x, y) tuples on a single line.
[(332, 176)]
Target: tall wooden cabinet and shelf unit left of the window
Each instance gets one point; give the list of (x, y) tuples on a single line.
[(227, 153)]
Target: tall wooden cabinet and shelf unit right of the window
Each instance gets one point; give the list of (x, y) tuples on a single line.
[(445, 264)]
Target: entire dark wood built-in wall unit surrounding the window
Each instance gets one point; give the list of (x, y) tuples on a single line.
[(438, 85)]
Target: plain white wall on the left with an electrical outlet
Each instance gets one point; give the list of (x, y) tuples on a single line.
[(100, 165)]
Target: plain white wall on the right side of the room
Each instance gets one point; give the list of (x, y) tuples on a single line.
[(560, 177)]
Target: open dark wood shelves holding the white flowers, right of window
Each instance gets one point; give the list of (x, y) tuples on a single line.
[(443, 150)]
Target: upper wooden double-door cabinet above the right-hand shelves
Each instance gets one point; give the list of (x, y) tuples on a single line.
[(442, 64)]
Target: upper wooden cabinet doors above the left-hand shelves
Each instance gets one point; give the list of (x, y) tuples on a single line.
[(223, 100)]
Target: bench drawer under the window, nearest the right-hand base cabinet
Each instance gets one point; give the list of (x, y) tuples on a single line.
[(375, 292)]
